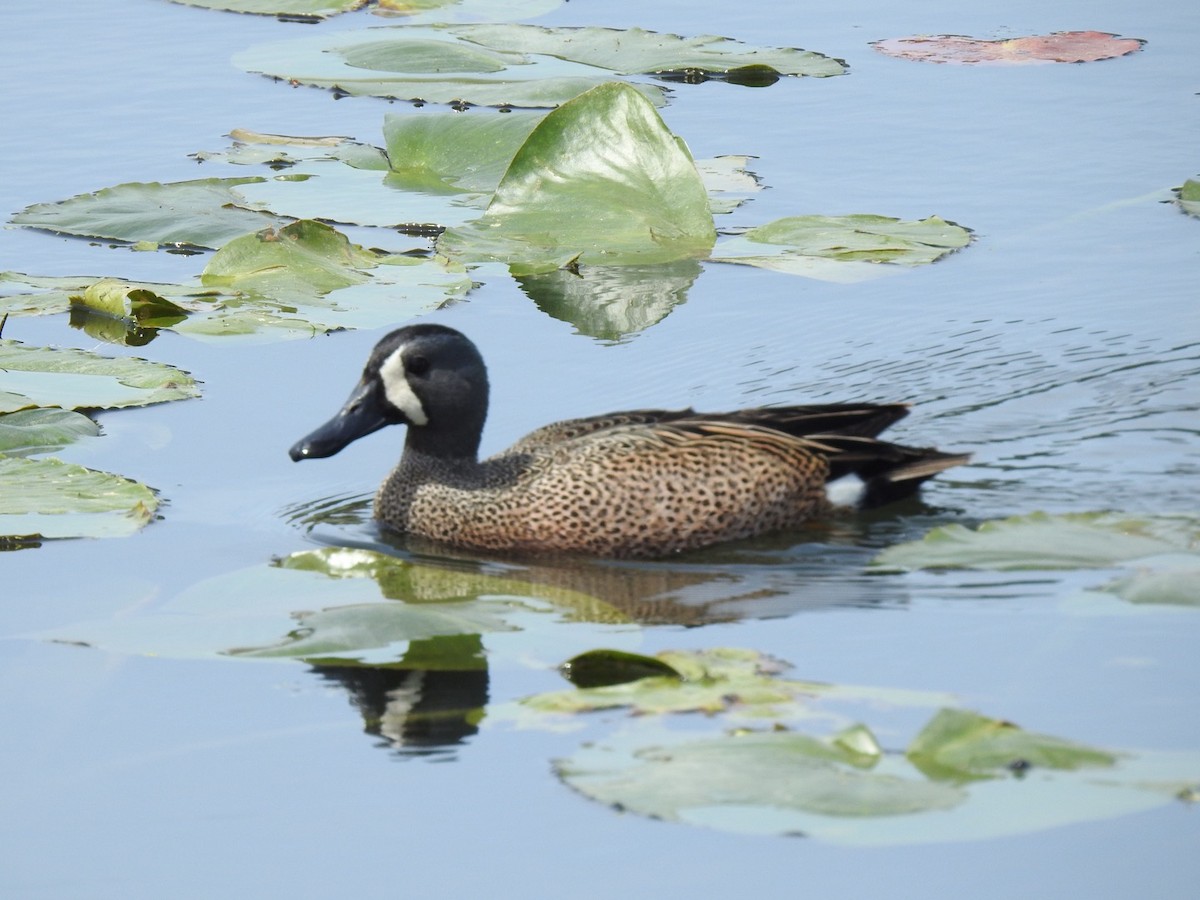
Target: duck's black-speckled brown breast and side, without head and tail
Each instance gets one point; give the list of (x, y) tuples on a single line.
[(626, 491)]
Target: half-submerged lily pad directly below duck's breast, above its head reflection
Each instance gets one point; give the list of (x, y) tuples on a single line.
[(333, 604)]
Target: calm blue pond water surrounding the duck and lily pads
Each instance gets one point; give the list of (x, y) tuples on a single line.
[(1064, 350)]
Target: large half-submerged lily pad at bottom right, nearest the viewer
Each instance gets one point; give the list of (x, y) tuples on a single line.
[(790, 784)]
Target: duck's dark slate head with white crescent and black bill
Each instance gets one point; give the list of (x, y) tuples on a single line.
[(429, 377)]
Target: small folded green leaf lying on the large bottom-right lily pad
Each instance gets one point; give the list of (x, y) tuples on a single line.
[(958, 745)]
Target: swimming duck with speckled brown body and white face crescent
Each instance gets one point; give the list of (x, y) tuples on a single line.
[(635, 484)]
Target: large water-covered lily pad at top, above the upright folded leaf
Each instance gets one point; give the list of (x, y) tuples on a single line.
[(514, 65)]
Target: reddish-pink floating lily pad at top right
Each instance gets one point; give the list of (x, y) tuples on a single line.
[(1037, 50)]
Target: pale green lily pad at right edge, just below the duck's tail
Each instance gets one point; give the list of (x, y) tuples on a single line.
[(1039, 541)]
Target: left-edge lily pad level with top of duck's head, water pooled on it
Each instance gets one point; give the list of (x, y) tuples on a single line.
[(79, 380)]
